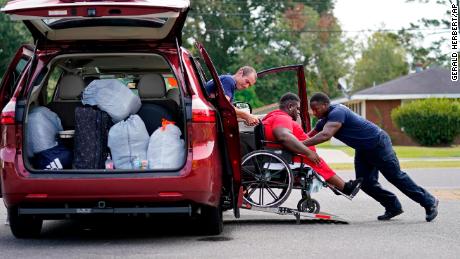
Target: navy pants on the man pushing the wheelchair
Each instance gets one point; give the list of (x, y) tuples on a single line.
[(382, 158)]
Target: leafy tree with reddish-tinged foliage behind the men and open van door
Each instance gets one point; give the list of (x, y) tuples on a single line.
[(300, 35)]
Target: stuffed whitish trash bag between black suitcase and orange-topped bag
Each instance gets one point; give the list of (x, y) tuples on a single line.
[(128, 141)]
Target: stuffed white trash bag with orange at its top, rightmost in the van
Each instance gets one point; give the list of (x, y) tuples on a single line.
[(166, 148)]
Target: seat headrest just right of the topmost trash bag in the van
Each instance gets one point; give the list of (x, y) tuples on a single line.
[(151, 86)]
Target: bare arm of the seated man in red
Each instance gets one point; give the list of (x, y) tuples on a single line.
[(291, 143)]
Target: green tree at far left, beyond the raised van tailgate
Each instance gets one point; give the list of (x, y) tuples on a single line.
[(12, 35)]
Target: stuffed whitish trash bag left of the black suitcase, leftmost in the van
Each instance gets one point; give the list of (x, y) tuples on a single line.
[(43, 126)]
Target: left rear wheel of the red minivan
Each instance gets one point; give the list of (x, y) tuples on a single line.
[(24, 226)]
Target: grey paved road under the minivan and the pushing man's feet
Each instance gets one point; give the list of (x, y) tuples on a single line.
[(259, 235)]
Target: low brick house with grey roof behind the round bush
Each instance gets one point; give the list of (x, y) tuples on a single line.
[(376, 103)]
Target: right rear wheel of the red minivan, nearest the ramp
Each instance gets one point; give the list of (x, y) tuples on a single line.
[(211, 221)]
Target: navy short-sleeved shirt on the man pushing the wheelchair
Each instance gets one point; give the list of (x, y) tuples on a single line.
[(356, 131)]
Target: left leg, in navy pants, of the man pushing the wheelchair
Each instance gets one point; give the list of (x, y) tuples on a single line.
[(371, 186)]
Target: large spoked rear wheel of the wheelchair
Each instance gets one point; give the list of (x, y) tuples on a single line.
[(266, 178)]
